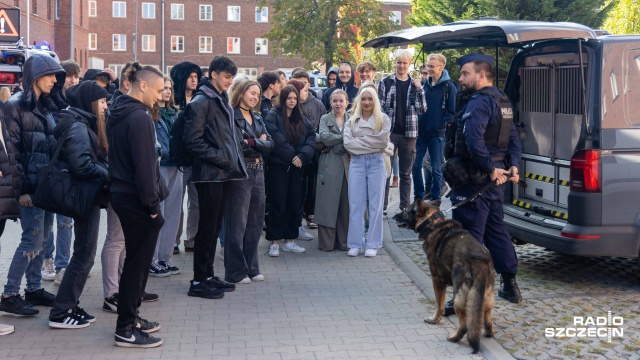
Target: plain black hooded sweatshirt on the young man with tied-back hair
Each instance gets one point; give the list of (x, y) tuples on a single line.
[(133, 161)]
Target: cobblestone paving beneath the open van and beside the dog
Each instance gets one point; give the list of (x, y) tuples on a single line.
[(556, 288)]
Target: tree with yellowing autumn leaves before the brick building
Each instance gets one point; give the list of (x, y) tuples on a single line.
[(325, 30)]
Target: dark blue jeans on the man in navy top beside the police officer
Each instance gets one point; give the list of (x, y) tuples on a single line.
[(433, 144)]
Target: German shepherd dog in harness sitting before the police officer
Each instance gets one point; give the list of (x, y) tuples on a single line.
[(457, 259)]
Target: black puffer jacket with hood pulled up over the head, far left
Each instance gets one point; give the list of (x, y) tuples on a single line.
[(30, 120)]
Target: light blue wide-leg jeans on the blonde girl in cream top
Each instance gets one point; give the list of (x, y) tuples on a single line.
[(367, 176)]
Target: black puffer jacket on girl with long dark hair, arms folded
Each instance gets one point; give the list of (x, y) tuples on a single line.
[(283, 152)]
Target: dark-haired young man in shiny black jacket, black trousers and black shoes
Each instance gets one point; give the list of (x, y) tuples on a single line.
[(211, 136)]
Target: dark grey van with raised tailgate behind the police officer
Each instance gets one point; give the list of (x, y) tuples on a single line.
[(576, 97)]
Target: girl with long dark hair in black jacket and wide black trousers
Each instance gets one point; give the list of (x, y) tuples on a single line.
[(294, 137)]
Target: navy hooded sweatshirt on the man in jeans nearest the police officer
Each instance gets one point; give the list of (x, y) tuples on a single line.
[(439, 111)]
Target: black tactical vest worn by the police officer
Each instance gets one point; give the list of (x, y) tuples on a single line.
[(495, 134)]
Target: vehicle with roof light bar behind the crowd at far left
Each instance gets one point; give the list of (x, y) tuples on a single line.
[(13, 57)]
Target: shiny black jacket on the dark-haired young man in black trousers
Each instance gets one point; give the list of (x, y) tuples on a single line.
[(211, 136)]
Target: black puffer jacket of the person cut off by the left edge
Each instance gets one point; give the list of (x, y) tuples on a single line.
[(10, 180)]
